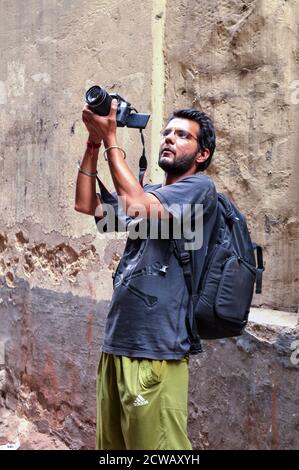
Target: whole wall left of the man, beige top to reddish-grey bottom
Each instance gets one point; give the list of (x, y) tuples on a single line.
[(55, 269)]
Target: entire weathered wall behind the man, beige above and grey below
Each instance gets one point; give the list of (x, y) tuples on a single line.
[(236, 60)]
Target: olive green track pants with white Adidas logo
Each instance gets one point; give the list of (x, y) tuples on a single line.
[(142, 404)]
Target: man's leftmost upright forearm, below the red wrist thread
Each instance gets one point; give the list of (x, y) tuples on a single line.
[(86, 198)]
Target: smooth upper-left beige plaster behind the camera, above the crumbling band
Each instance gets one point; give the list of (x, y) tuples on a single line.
[(53, 51)]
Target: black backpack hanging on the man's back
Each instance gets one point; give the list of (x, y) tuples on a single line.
[(220, 306)]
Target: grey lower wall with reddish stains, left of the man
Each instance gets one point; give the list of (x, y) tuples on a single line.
[(50, 345)]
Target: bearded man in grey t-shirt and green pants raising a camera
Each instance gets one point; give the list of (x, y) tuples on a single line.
[(142, 386)]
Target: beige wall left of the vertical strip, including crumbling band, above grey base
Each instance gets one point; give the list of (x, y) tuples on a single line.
[(51, 52)]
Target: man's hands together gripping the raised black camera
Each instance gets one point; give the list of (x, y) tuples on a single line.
[(101, 127)]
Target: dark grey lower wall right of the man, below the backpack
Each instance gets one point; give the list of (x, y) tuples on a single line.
[(244, 391)]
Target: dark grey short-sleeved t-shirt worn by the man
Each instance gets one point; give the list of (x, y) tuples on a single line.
[(150, 303)]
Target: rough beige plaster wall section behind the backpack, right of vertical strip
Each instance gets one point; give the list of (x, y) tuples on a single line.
[(237, 60)]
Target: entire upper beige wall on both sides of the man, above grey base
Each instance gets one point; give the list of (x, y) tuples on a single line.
[(236, 61)]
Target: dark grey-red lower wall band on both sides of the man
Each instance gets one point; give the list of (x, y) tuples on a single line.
[(243, 391)]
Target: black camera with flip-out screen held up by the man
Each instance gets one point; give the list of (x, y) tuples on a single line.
[(99, 101)]
